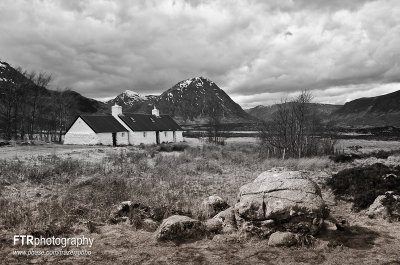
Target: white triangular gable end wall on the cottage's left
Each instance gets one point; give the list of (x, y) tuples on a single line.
[(81, 133)]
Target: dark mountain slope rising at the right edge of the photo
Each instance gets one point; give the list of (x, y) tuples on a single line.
[(382, 110)]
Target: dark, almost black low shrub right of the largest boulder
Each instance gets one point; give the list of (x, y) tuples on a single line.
[(364, 184)]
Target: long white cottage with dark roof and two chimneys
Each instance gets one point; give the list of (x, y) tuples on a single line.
[(123, 129)]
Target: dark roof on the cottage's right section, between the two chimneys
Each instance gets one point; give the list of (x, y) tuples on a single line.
[(146, 122)]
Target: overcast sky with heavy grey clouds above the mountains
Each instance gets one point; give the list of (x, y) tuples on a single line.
[(258, 51)]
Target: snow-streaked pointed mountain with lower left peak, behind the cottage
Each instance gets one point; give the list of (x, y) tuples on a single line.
[(192, 100)]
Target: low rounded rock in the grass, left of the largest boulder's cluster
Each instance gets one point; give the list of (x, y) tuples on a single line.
[(179, 228)]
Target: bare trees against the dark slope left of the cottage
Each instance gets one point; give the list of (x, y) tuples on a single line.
[(30, 111)]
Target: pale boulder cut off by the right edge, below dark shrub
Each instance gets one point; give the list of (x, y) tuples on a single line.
[(385, 206)]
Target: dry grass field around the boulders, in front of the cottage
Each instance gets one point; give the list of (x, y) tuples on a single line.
[(58, 189)]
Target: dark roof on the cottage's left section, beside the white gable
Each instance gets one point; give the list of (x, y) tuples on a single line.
[(101, 124)]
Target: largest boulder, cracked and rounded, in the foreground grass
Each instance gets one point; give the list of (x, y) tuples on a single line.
[(281, 200)]
